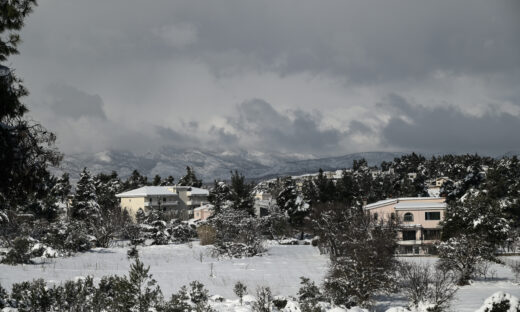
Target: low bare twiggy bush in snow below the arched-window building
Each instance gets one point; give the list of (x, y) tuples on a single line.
[(427, 285)]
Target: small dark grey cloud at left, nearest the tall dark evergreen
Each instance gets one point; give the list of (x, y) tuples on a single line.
[(69, 101)]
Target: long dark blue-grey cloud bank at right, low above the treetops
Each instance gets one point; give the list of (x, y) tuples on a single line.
[(449, 129)]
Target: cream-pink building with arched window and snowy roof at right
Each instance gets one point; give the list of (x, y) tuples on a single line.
[(419, 219)]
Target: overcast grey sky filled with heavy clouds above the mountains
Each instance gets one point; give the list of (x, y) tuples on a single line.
[(303, 77)]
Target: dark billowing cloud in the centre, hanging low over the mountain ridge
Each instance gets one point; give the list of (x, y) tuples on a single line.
[(298, 131)]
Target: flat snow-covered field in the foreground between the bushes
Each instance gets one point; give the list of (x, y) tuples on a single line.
[(280, 269)]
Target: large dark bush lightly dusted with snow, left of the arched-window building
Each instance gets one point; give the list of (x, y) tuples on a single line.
[(361, 251)]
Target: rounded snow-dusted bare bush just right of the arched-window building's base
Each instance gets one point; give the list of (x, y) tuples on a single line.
[(463, 254)]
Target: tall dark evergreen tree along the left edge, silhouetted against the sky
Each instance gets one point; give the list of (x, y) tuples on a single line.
[(27, 149)]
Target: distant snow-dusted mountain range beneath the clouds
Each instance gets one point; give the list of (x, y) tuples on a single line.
[(210, 165)]
